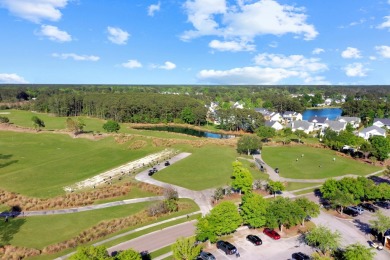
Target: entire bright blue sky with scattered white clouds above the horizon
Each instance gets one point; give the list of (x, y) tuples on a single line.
[(231, 42)]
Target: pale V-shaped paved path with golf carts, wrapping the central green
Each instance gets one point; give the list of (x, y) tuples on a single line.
[(202, 198)]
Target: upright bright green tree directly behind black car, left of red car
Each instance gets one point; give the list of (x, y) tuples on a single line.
[(254, 210)]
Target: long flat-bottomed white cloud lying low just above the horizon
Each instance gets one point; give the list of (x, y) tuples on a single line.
[(269, 69)]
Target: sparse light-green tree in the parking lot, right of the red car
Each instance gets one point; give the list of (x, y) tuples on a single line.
[(324, 239)]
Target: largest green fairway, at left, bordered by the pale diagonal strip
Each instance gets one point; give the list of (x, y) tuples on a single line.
[(42, 164)]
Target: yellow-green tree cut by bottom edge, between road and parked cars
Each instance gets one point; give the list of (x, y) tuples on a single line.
[(186, 249)]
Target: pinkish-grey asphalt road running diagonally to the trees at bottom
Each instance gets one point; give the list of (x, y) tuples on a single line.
[(157, 239)]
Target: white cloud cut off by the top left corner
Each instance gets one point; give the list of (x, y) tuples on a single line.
[(35, 10)]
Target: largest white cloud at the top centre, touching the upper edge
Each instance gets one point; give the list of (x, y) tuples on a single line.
[(245, 20)]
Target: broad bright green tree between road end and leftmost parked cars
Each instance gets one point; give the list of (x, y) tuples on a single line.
[(223, 219)]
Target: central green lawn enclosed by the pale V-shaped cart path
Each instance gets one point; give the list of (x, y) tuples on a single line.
[(206, 167)]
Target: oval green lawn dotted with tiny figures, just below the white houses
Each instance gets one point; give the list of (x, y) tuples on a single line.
[(316, 163)]
